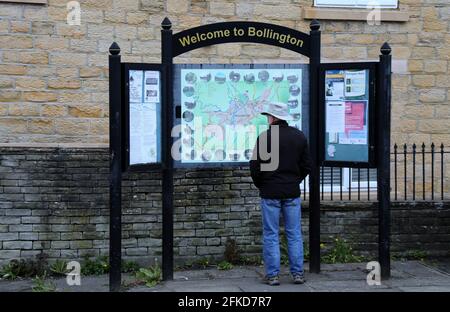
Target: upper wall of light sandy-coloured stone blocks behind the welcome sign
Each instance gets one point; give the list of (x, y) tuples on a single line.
[(53, 76)]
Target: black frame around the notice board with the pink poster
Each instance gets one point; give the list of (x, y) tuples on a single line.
[(370, 162)]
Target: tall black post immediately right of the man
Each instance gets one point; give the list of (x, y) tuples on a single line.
[(314, 182)]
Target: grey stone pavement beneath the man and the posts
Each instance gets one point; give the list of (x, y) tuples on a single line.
[(408, 276)]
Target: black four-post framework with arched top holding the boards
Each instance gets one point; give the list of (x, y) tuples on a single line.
[(309, 46)]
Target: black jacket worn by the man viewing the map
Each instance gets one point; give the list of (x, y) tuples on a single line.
[(294, 163)]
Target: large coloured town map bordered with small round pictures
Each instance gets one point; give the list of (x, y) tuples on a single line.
[(220, 114)]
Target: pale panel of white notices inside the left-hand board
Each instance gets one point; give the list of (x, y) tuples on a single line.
[(144, 111)]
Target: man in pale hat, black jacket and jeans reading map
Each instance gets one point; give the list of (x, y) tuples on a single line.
[(279, 188)]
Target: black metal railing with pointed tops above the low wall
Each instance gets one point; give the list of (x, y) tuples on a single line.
[(417, 173)]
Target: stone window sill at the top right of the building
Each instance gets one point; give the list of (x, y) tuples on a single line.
[(353, 14)]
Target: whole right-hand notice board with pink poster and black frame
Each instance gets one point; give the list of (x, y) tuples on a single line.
[(347, 114)]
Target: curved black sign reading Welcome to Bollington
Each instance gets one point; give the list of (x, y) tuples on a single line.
[(202, 36)]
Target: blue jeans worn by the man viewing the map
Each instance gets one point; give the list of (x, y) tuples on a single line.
[(291, 210)]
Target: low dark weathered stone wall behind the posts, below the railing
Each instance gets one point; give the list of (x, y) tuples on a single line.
[(56, 200)]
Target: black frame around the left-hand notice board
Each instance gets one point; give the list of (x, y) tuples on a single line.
[(125, 118)]
